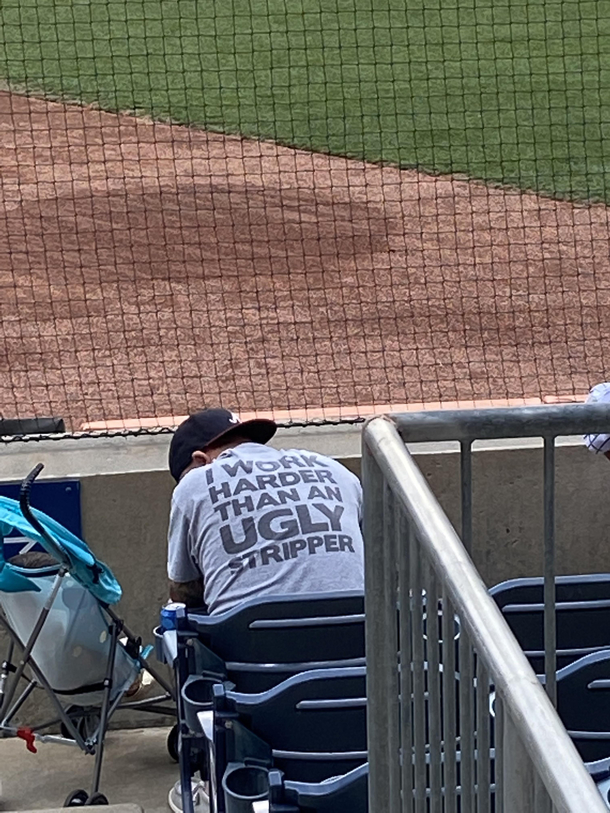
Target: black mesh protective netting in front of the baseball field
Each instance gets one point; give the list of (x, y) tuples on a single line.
[(311, 208)]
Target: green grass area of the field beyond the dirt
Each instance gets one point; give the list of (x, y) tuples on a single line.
[(513, 91)]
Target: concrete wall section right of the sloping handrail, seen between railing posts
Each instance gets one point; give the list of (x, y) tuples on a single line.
[(508, 508)]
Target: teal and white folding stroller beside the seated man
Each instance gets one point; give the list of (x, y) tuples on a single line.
[(71, 643)]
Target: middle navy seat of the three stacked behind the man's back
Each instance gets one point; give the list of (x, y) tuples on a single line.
[(311, 727)]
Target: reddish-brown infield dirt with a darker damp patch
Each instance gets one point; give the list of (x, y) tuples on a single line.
[(148, 269)]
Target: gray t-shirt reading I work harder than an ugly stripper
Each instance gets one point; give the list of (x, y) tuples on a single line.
[(261, 521)]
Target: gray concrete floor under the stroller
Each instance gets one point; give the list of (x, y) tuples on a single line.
[(137, 768)]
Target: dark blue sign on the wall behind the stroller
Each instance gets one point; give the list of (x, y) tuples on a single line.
[(59, 499)]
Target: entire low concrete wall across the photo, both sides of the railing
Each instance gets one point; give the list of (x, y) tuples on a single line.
[(126, 495)]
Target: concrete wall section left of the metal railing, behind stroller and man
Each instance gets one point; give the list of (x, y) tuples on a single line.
[(125, 499)]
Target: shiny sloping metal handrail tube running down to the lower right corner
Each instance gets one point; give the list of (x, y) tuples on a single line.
[(536, 722)]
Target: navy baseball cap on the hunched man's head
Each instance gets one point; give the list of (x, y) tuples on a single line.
[(203, 429)]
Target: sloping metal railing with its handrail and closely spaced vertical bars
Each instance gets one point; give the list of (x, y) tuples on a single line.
[(413, 552)]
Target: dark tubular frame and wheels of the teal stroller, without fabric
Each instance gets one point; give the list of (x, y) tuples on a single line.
[(83, 727)]
